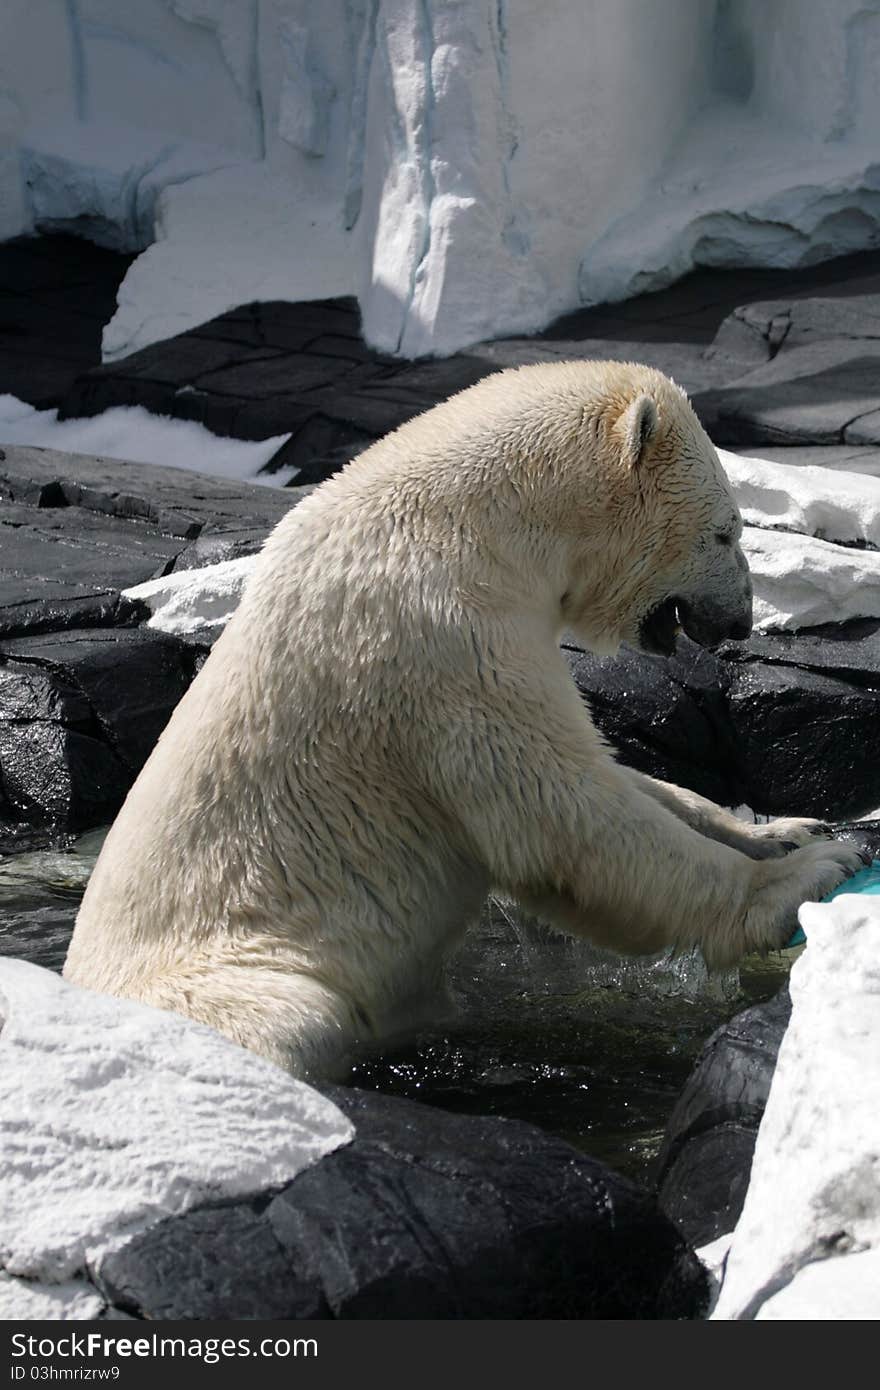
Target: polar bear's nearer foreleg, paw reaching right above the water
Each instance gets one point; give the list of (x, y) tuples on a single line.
[(580, 843)]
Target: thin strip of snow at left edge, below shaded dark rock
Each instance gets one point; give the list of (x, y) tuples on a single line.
[(133, 433)]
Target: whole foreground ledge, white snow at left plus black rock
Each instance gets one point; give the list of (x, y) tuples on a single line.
[(280, 1202)]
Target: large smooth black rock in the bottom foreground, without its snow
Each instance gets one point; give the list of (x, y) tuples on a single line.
[(423, 1216)]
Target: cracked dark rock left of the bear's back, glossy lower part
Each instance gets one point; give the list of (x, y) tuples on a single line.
[(84, 690)]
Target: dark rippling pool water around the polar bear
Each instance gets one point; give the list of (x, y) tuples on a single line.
[(589, 1046)]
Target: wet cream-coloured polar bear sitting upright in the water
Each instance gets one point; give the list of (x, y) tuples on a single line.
[(387, 729)]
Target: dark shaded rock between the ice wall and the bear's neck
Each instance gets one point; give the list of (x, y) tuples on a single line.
[(270, 369)]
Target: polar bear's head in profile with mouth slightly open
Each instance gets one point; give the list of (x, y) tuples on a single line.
[(654, 529)]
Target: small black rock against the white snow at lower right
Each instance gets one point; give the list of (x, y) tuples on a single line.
[(707, 1157)]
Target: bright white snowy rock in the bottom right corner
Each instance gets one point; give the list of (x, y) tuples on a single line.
[(808, 1242)]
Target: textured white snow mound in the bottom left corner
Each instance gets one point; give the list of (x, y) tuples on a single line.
[(117, 1115)]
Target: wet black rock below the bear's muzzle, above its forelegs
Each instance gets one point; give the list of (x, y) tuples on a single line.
[(786, 723)]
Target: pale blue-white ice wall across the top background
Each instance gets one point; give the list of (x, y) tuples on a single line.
[(468, 167)]
